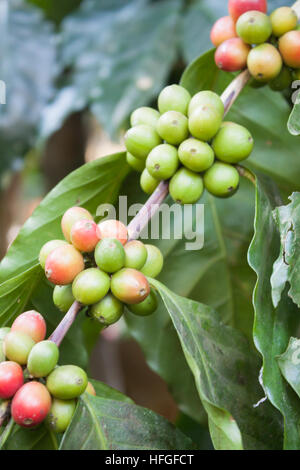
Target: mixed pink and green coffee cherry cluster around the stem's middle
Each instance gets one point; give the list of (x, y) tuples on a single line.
[(97, 266)]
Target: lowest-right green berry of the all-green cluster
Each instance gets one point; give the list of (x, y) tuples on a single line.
[(221, 180)]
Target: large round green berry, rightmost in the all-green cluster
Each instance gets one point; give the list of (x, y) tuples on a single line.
[(233, 143)]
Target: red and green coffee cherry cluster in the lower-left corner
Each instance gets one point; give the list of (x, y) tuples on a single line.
[(38, 388)]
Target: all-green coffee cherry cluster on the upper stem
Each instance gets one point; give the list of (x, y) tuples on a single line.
[(187, 142)]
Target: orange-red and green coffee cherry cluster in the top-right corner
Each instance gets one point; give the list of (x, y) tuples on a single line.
[(268, 45)]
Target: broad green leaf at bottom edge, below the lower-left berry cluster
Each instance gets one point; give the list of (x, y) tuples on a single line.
[(104, 424)]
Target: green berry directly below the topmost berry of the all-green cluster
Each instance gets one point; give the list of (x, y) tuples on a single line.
[(172, 126)]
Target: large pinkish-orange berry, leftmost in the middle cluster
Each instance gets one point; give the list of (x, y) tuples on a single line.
[(63, 265)]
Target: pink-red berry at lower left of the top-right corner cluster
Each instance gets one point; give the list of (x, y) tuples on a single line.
[(232, 54)]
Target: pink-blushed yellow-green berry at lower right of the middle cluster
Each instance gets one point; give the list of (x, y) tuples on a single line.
[(130, 286)]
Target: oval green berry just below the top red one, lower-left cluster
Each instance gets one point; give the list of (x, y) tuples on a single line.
[(42, 358)]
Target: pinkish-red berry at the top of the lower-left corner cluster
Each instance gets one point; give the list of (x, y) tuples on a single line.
[(32, 324)]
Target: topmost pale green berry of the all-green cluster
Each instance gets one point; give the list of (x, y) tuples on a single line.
[(174, 98)]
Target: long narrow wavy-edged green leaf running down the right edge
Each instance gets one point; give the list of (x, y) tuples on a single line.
[(273, 326)]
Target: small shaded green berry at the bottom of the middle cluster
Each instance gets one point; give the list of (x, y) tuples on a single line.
[(108, 311)]
